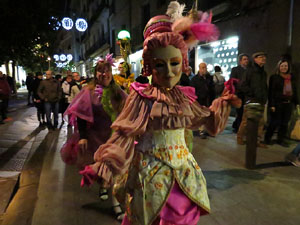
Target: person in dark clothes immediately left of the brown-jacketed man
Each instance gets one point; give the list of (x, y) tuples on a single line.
[(39, 104)]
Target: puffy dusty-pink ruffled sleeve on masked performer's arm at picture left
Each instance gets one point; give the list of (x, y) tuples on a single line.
[(116, 154)]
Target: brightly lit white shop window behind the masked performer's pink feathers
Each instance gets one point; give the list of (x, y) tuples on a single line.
[(221, 53)]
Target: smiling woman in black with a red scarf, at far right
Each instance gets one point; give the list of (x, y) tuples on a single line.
[(282, 96)]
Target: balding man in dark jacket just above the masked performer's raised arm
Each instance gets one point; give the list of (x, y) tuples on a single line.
[(204, 88)]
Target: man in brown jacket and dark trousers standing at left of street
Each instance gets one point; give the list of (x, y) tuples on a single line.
[(50, 92)]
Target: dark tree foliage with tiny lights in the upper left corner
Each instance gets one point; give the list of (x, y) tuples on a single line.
[(28, 31)]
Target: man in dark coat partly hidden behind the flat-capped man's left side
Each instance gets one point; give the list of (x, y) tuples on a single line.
[(239, 73)]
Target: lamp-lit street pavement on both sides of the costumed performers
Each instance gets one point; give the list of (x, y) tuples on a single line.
[(37, 188)]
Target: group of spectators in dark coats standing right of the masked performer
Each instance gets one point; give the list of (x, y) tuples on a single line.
[(252, 86)]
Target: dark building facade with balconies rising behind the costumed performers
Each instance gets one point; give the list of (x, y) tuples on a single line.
[(259, 25)]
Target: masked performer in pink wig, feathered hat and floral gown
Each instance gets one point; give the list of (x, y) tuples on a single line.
[(165, 185)]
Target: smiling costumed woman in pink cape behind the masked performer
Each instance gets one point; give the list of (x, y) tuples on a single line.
[(92, 112)]
